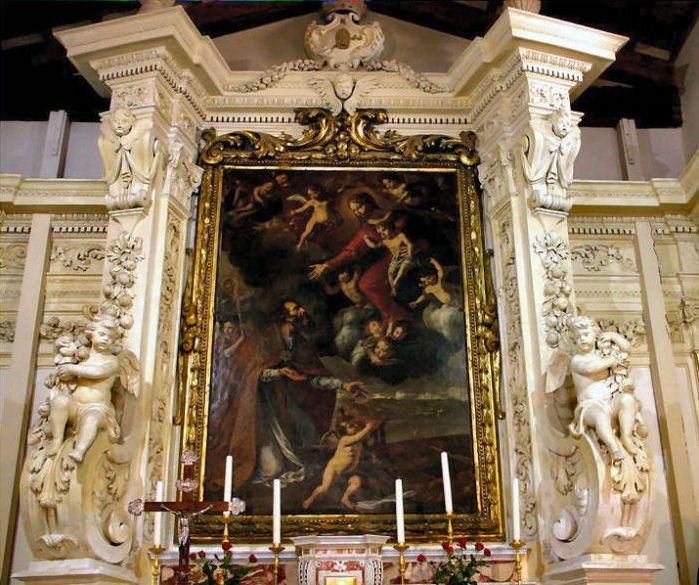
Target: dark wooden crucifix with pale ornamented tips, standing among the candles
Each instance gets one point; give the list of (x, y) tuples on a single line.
[(186, 509)]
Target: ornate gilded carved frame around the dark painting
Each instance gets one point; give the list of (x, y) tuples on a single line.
[(345, 142)]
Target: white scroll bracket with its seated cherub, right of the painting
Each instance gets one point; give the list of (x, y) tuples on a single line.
[(601, 468)]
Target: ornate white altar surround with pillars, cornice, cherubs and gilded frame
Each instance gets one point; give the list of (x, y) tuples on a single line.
[(577, 449)]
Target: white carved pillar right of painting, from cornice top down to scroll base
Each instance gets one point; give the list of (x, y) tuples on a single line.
[(528, 141)]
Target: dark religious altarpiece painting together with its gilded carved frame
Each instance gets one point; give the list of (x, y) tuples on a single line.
[(339, 332)]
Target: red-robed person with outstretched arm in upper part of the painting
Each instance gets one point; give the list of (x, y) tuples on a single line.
[(374, 281)]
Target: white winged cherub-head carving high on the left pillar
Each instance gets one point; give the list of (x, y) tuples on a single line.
[(130, 158)]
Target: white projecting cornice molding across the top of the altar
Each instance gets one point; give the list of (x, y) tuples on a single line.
[(166, 41)]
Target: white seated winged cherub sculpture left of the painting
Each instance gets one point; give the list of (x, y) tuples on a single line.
[(82, 398)]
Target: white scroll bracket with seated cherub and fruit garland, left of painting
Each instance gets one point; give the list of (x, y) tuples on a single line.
[(76, 475)]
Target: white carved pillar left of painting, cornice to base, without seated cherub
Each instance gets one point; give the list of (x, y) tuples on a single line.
[(155, 115)]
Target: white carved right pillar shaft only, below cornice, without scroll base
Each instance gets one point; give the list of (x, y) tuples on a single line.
[(521, 131)]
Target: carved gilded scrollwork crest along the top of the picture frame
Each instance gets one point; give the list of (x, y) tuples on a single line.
[(340, 138)]
